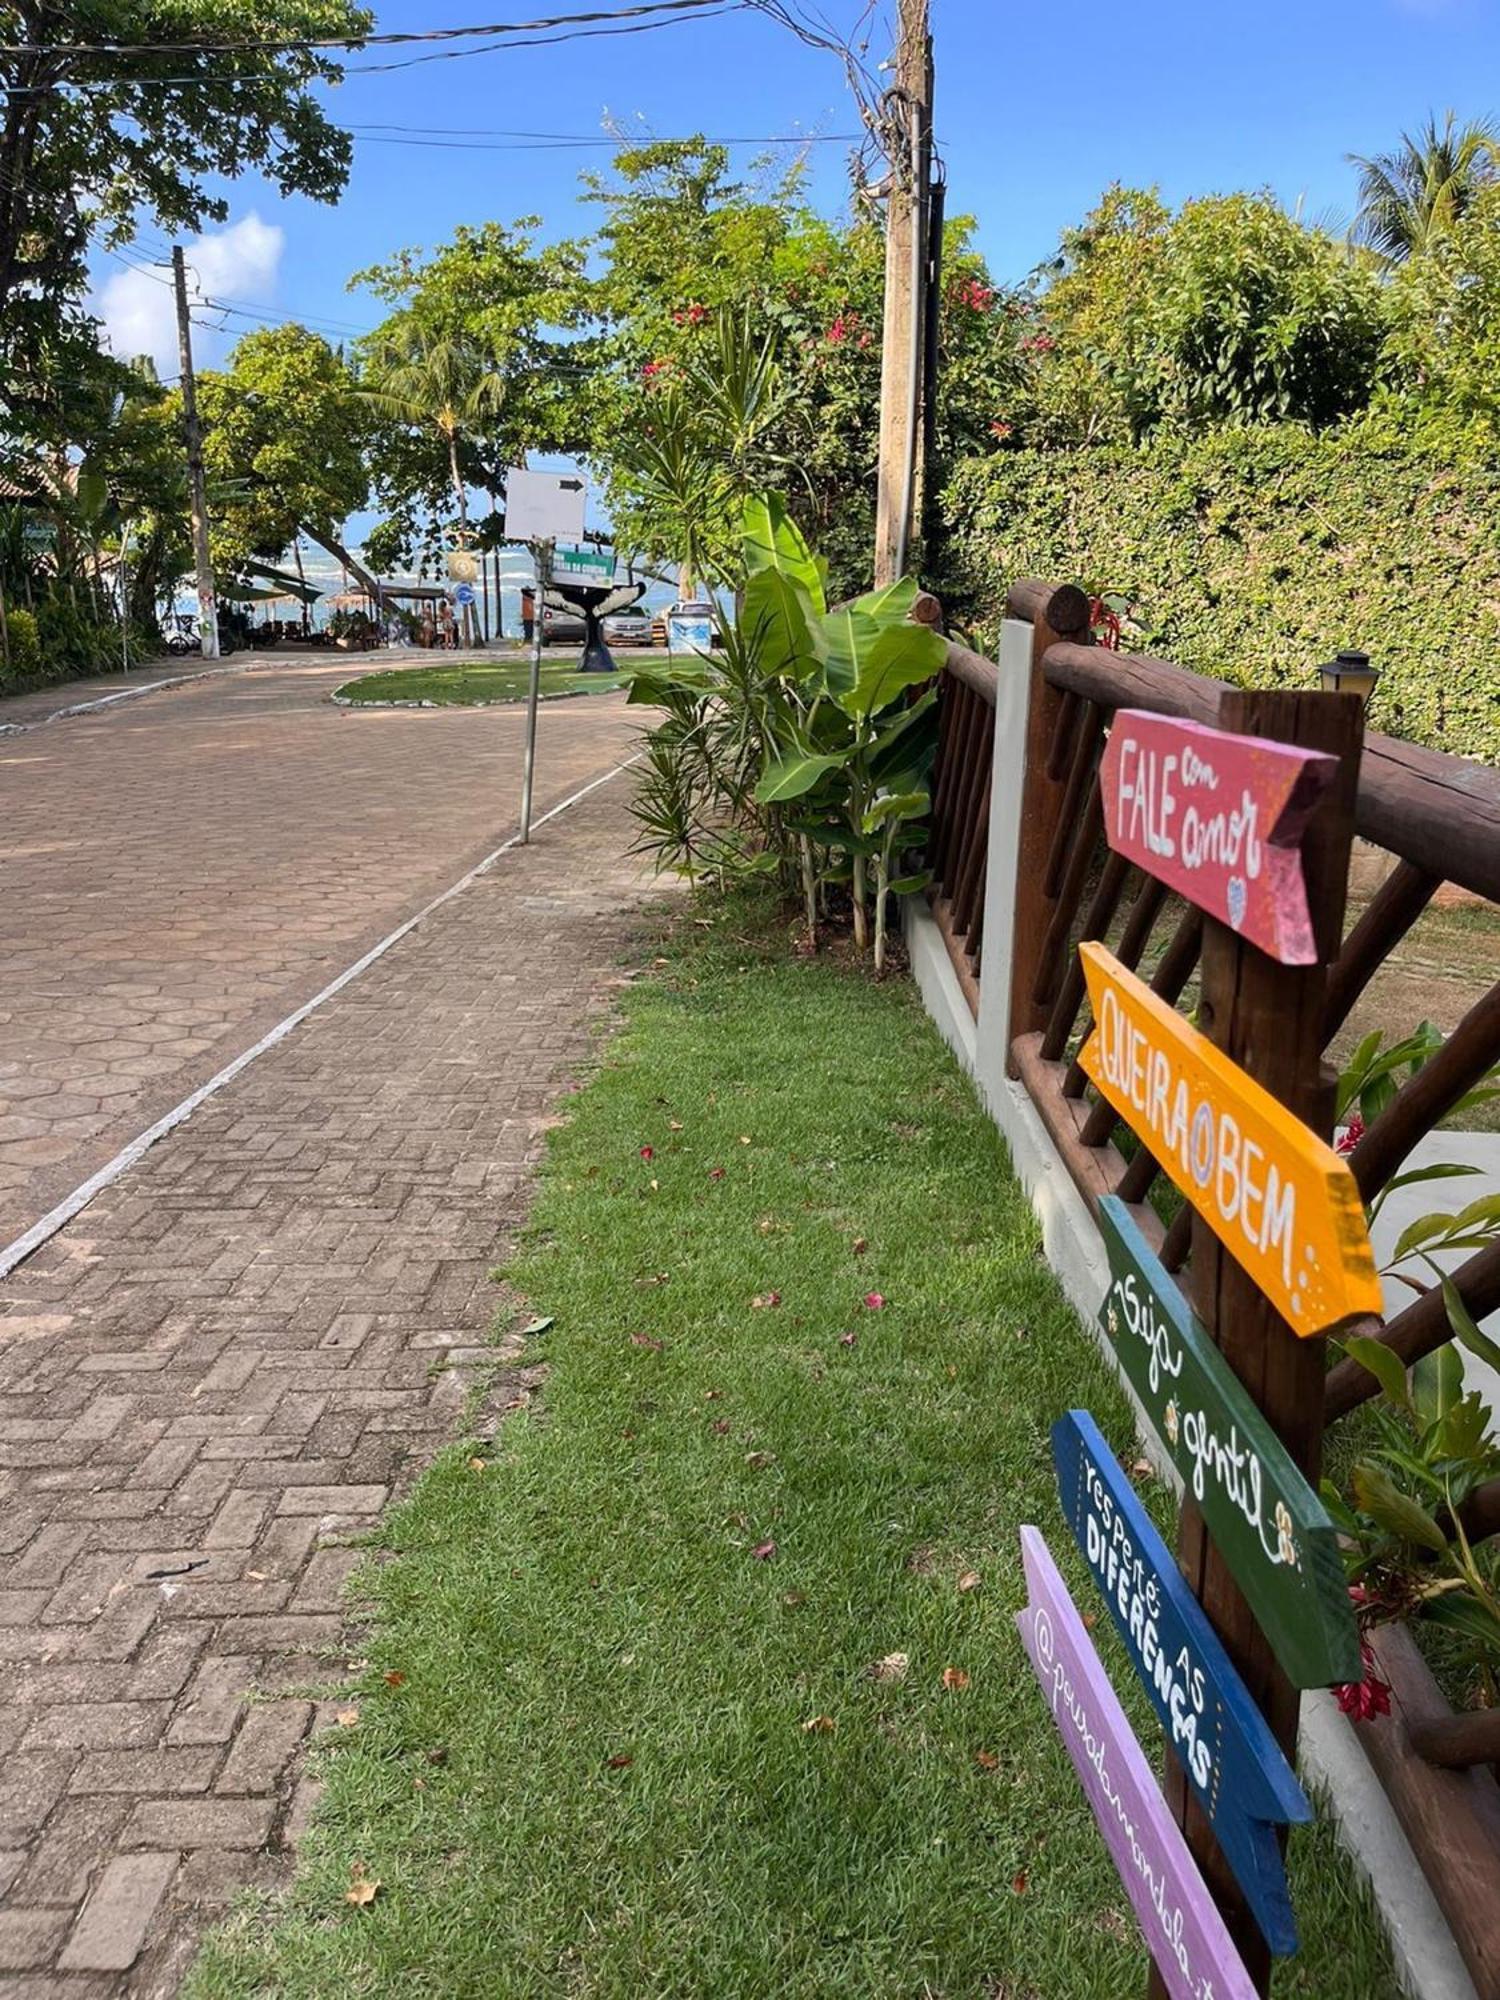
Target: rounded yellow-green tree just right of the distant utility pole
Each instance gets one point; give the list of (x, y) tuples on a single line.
[(285, 445)]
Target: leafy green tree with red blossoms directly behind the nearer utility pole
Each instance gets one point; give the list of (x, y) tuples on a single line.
[(691, 255)]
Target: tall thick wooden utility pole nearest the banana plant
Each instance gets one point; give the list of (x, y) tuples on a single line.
[(909, 153)]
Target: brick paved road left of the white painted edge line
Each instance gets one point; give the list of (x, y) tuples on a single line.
[(185, 869)]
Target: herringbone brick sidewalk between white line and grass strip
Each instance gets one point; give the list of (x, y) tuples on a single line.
[(225, 1369)]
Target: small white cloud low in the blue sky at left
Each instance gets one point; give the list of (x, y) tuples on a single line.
[(139, 311)]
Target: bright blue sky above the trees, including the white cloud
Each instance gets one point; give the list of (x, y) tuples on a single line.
[(1037, 111)]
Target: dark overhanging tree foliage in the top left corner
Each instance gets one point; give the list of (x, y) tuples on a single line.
[(127, 111)]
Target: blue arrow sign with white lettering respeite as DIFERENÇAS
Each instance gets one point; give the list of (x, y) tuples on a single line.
[(1235, 1765)]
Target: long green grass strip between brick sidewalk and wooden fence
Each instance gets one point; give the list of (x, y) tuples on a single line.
[(583, 1761)]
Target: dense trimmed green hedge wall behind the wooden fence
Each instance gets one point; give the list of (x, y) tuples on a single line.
[(1253, 555)]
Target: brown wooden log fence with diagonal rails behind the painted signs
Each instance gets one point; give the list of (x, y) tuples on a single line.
[(1439, 819)]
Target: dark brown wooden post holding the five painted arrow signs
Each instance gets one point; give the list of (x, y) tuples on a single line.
[(1271, 1021)]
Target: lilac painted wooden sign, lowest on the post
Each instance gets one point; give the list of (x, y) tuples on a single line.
[(1183, 1929)]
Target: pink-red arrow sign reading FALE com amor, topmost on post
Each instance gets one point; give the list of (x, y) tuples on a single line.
[(1219, 819)]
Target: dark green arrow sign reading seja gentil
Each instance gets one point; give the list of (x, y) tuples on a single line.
[(1263, 1515)]
